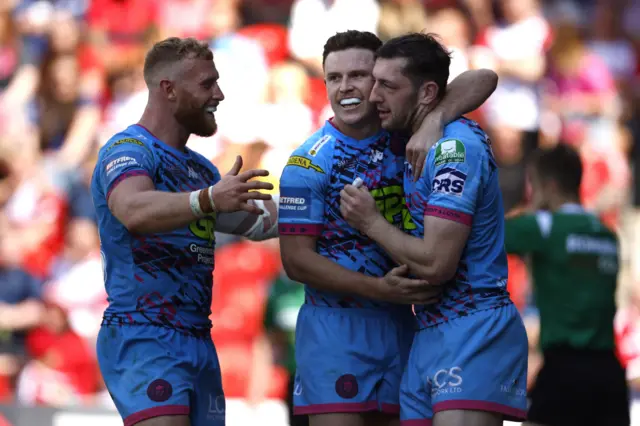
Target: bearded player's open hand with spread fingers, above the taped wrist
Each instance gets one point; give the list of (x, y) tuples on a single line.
[(233, 192)]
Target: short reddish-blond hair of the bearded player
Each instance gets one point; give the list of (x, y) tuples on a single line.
[(170, 51)]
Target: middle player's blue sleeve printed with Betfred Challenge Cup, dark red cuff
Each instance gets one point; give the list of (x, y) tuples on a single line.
[(302, 193)]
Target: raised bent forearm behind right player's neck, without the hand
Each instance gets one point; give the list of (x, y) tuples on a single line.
[(466, 93)]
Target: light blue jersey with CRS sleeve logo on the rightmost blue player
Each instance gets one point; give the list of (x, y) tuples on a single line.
[(460, 183)]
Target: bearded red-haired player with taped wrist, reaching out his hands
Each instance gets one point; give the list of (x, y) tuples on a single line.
[(158, 204)]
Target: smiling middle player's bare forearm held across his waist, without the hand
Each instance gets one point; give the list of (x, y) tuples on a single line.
[(323, 274)]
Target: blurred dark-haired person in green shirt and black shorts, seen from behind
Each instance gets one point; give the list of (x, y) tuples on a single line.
[(574, 260)]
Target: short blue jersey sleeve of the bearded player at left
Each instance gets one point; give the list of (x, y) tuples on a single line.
[(122, 159)]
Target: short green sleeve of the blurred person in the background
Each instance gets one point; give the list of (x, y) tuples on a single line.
[(526, 234)]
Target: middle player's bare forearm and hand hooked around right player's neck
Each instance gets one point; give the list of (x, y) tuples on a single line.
[(465, 93)]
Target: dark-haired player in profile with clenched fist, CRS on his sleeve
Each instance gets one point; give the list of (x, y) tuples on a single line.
[(468, 362)]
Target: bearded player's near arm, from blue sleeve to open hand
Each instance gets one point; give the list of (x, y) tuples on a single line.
[(124, 175)]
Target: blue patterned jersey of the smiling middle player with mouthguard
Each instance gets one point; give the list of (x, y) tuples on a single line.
[(310, 202)]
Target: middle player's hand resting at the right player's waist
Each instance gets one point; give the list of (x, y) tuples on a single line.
[(396, 287)]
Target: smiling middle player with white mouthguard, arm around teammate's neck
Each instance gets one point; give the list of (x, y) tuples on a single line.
[(356, 326)]
